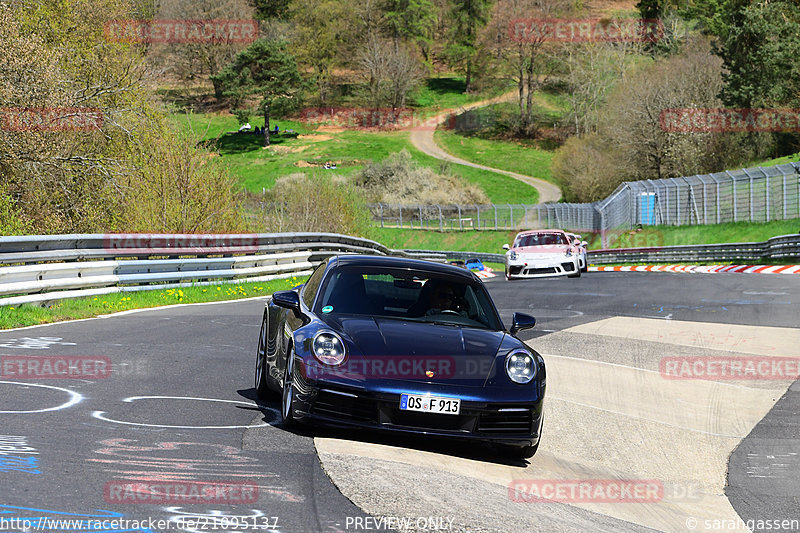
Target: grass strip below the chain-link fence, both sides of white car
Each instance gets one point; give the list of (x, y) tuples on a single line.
[(492, 241)]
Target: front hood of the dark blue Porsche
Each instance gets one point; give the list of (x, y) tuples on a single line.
[(398, 350)]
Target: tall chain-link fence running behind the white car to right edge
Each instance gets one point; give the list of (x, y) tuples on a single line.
[(759, 194)]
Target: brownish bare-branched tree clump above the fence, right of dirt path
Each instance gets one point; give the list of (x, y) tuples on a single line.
[(631, 142)]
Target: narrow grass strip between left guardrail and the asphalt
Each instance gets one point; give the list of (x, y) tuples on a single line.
[(32, 314)]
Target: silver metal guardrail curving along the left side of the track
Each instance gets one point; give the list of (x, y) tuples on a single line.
[(44, 268)]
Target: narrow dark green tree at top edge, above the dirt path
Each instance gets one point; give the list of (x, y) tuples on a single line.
[(467, 17)]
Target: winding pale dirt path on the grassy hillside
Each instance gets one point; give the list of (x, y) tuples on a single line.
[(422, 138)]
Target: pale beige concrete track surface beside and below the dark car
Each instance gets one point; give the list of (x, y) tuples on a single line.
[(603, 421)]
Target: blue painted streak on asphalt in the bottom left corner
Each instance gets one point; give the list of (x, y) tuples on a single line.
[(12, 516)]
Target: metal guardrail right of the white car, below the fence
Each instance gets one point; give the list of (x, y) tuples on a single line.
[(777, 248)]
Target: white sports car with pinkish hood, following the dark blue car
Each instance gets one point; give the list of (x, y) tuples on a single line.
[(542, 253)]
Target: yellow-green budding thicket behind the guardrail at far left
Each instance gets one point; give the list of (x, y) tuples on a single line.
[(104, 176)]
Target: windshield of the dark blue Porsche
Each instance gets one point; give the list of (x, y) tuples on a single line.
[(419, 296)]
